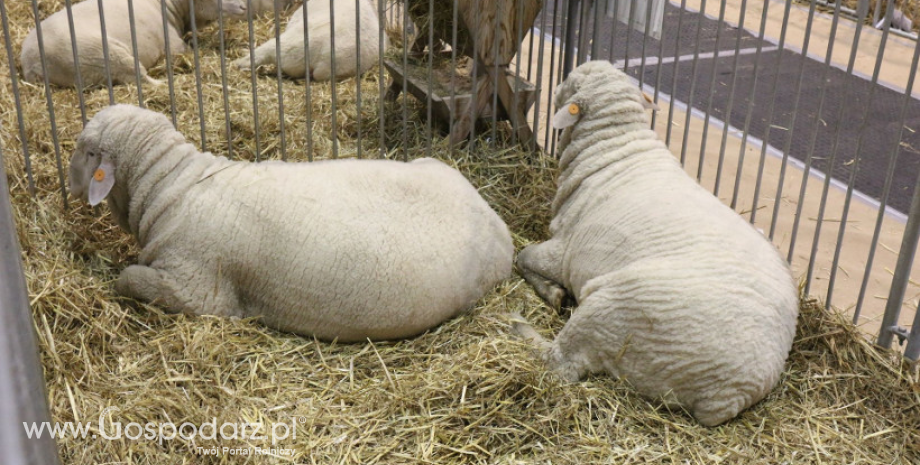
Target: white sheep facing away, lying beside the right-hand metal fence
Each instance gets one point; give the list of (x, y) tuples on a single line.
[(677, 294)]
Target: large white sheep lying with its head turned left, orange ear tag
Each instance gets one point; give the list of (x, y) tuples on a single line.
[(344, 249)]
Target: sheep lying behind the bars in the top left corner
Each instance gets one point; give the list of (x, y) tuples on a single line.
[(148, 23)]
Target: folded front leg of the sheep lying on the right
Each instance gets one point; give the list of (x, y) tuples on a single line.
[(538, 265)]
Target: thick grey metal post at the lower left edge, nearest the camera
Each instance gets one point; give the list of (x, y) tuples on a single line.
[(23, 395)]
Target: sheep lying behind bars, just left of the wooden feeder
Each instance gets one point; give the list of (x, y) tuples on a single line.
[(320, 34)]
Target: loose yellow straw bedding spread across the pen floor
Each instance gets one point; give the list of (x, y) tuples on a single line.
[(467, 392)]
